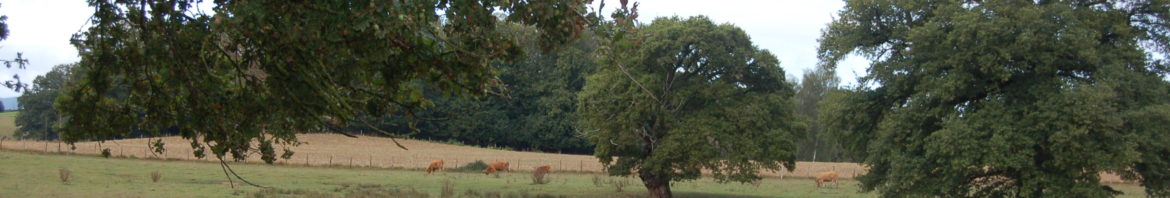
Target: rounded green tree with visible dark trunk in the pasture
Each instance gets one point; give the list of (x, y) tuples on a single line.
[(693, 97)]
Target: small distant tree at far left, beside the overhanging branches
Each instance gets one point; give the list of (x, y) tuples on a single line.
[(38, 119)]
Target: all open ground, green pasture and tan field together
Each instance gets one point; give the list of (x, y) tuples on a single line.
[(334, 166)]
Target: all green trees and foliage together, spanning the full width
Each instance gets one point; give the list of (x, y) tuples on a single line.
[(962, 99)]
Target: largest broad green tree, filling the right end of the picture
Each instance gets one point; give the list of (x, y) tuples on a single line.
[(1004, 99)]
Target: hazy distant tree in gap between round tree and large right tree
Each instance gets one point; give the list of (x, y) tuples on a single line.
[(813, 90)]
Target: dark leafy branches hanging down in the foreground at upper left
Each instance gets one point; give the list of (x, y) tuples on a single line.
[(260, 72)]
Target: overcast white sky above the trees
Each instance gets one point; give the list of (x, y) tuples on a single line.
[(789, 29)]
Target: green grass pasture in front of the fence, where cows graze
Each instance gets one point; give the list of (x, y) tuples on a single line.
[(36, 175)]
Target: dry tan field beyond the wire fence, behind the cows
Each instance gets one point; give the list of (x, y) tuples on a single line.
[(332, 149)]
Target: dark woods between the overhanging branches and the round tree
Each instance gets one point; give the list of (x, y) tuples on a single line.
[(535, 108)]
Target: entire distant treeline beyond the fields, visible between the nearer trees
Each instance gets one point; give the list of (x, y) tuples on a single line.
[(535, 110)]
